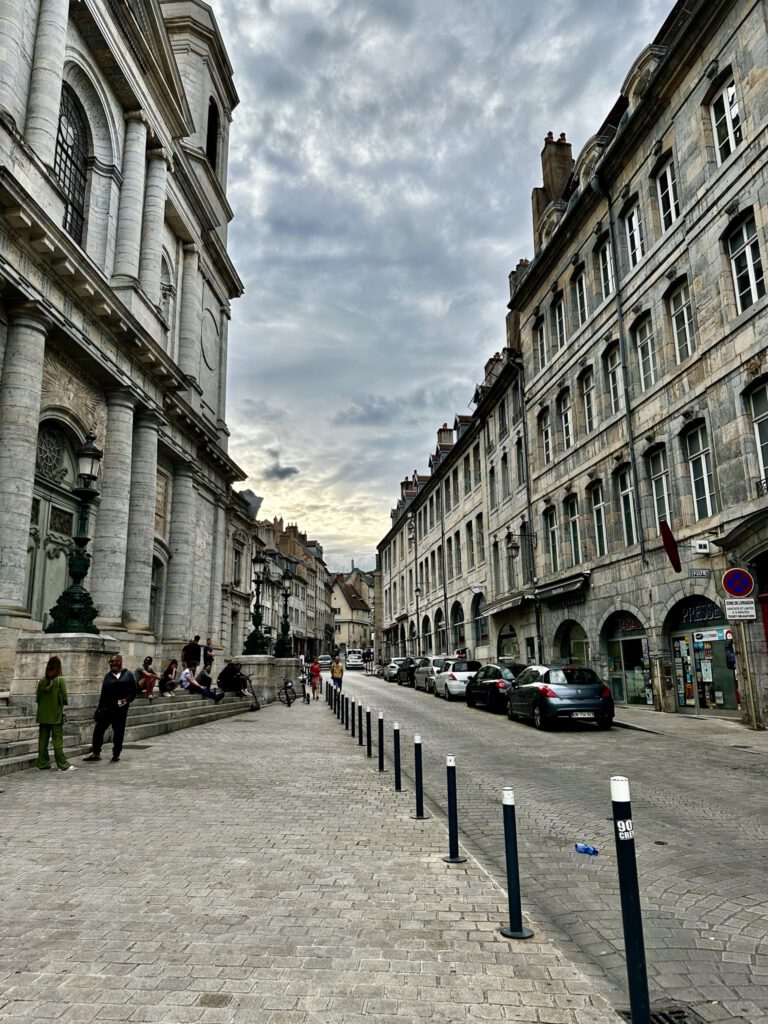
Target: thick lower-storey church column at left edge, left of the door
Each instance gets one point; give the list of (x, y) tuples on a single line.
[(21, 388)]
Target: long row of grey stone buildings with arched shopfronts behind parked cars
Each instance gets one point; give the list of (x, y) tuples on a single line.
[(616, 463)]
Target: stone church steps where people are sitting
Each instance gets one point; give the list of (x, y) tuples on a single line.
[(19, 732)]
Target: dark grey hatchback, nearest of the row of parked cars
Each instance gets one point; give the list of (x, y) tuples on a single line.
[(547, 694)]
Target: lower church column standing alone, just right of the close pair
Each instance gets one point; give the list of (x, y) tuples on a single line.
[(181, 576)]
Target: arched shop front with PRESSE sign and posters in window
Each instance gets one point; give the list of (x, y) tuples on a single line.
[(704, 660)]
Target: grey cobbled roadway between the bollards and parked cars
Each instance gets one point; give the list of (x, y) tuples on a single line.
[(701, 818)]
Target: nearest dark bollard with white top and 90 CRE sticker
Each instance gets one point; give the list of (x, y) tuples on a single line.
[(624, 835)]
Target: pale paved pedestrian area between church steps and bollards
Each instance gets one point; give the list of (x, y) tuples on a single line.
[(258, 870)]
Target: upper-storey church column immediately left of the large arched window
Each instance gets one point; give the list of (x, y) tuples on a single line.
[(46, 82)]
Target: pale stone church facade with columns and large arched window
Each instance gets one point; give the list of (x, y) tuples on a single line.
[(115, 302)]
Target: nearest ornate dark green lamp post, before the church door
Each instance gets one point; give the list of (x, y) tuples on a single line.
[(74, 612)]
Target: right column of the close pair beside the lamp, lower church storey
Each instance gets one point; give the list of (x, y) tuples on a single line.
[(142, 523)]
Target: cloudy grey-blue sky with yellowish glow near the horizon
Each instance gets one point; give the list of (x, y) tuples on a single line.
[(381, 165)]
